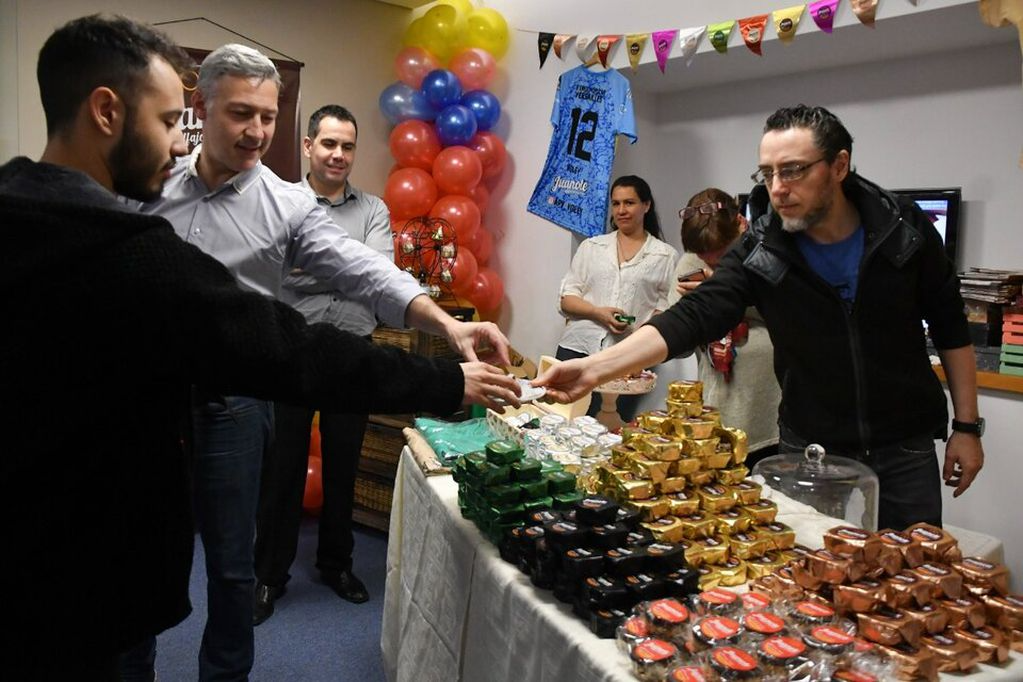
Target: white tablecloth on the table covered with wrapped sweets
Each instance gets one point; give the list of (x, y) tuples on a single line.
[(455, 611)]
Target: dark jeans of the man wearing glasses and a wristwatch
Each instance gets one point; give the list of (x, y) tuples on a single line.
[(908, 474)]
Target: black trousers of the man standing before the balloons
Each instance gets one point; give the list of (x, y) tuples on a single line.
[(283, 487)]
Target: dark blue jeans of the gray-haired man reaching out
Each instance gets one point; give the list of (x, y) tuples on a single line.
[(231, 436)]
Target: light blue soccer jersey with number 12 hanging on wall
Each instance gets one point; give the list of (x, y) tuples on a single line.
[(592, 110)]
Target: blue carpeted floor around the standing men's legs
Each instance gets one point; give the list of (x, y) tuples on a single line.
[(314, 636)]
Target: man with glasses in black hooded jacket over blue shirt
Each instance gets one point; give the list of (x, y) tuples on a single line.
[(843, 276)]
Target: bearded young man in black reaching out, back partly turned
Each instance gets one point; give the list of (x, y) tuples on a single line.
[(110, 319)]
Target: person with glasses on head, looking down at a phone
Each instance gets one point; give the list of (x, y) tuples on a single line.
[(737, 371)]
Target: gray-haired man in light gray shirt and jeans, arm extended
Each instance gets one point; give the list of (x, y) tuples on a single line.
[(227, 203)]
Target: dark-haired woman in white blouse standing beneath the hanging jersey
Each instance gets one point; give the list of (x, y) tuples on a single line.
[(617, 281)]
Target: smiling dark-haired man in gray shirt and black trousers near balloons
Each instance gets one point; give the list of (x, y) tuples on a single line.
[(331, 148)]
